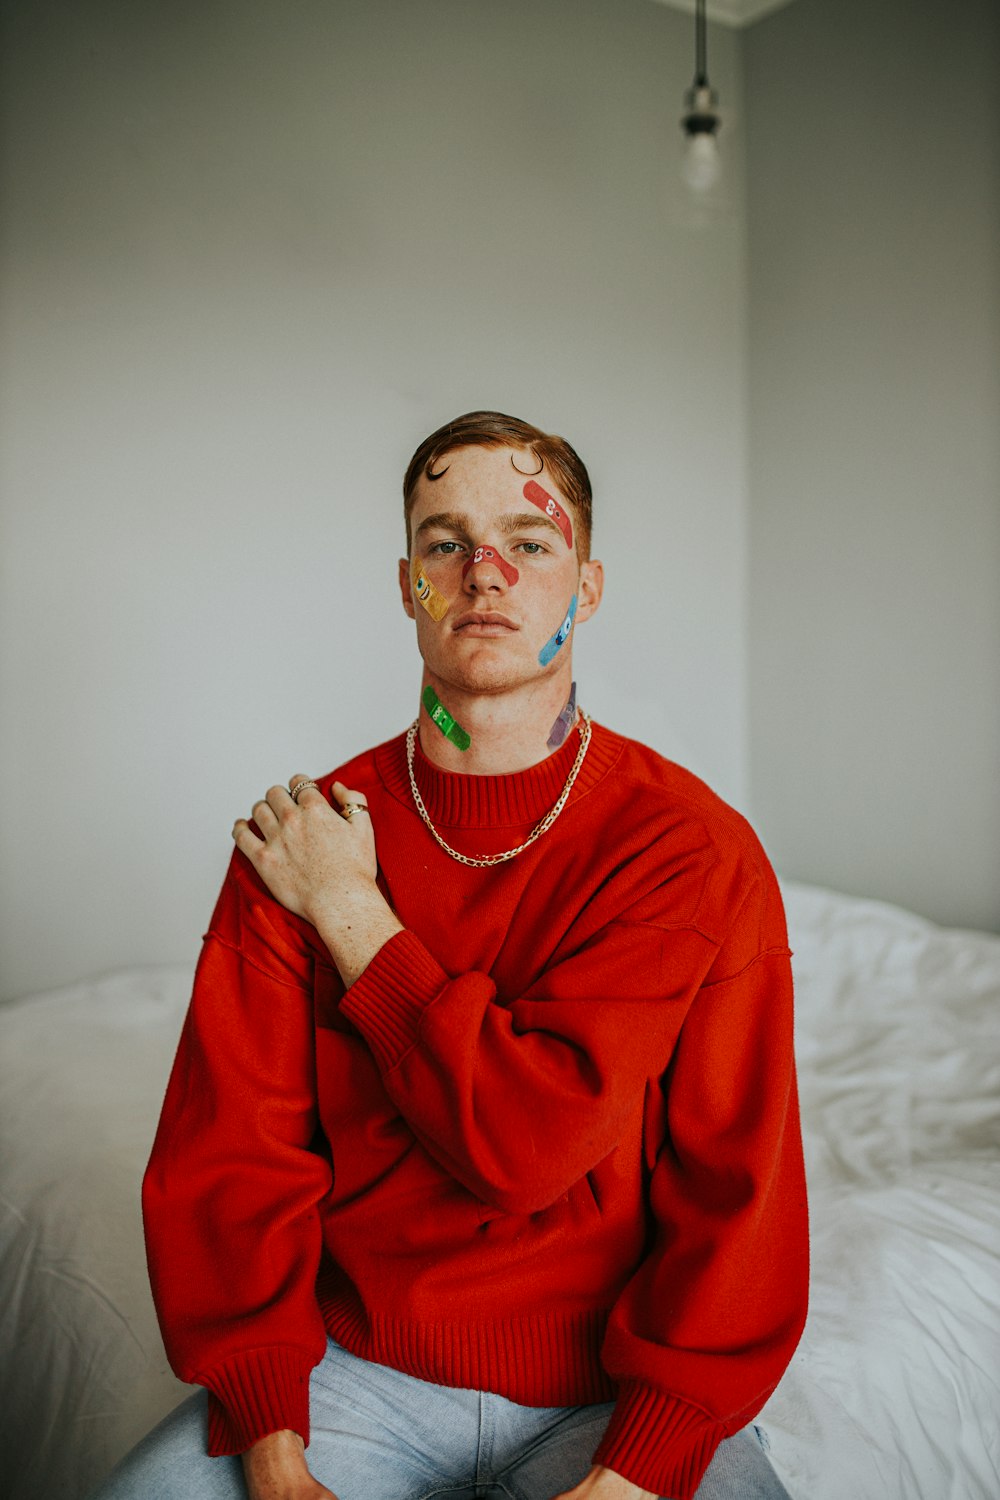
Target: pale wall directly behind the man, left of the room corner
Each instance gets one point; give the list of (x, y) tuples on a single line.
[(253, 253)]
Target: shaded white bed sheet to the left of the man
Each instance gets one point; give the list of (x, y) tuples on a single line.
[(83, 1372)]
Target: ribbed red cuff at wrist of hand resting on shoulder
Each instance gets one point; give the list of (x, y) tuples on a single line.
[(391, 998)]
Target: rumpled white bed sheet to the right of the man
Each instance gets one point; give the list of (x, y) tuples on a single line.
[(896, 1388)]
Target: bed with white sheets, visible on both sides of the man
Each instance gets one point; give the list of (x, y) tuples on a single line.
[(896, 1390)]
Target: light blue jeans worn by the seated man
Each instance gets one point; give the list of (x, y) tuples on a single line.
[(379, 1435)]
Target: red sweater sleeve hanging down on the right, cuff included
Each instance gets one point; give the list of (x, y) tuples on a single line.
[(707, 1325)]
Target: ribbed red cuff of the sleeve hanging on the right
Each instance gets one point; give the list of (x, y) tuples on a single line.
[(659, 1442)]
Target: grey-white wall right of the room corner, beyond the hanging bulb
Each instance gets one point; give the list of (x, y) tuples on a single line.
[(875, 463)]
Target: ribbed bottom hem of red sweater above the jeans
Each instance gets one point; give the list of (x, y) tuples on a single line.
[(545, 1360)]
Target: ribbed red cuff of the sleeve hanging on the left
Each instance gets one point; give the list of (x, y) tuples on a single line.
[(254, 1394)]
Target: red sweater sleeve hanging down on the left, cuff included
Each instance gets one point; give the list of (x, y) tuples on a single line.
[(232, 1193)]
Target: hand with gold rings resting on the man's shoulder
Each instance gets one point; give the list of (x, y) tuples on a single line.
[(311, 859)]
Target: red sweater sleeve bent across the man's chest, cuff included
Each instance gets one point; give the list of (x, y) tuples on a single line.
[(566, 1061)]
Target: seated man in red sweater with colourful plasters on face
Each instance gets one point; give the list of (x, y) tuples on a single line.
[(482, 1147)]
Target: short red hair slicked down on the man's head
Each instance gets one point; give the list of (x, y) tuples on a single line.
[(494, 430)]
